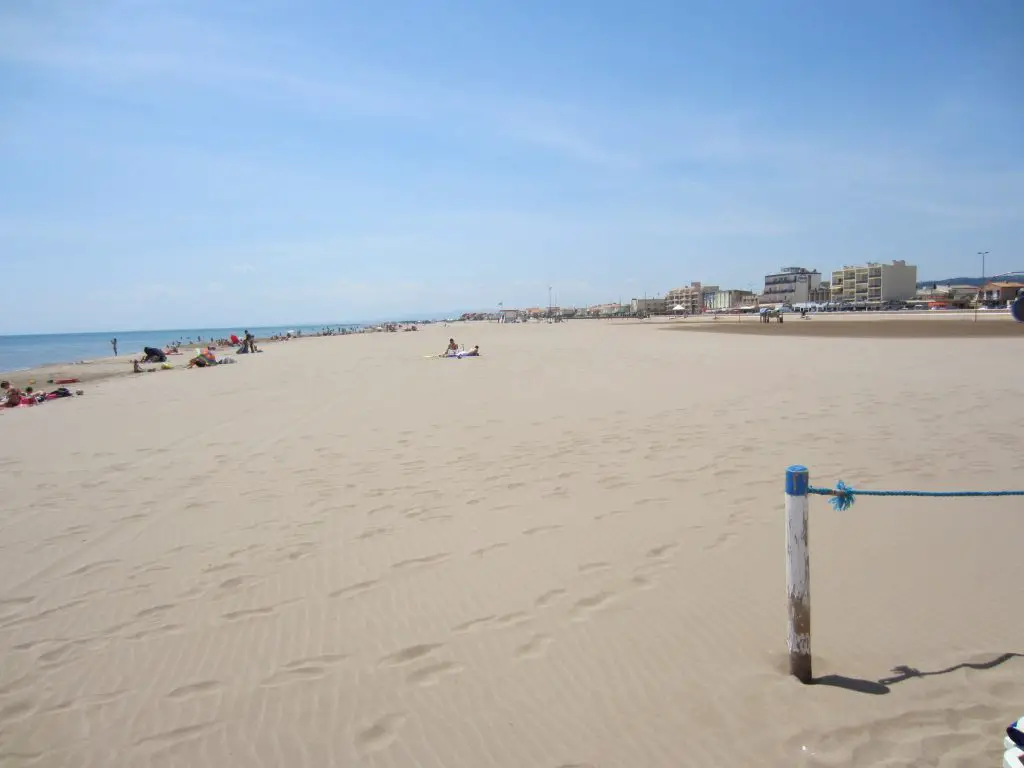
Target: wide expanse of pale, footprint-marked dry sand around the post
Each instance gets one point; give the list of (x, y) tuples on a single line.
[(569, 552)]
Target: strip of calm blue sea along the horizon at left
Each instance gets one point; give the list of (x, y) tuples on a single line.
[(18, 353)]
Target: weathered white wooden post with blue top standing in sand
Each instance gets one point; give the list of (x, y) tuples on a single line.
[(798, 573)]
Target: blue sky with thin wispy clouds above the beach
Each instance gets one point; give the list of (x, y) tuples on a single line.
[(194, 163)]
